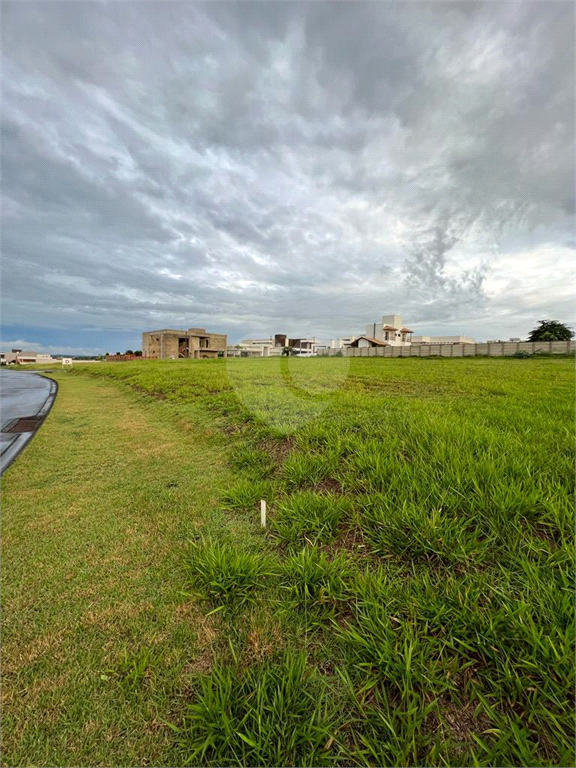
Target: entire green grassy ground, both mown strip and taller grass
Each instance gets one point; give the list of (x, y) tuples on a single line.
[(410, 603)]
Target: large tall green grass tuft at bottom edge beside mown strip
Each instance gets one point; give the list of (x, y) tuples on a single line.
[(269, 714)]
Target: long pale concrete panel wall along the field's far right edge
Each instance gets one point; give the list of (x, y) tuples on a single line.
[(494, 349)]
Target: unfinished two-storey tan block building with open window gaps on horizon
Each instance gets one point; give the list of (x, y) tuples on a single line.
[(168, 344)]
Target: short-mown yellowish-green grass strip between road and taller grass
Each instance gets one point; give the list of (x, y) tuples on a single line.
[(98, 641)]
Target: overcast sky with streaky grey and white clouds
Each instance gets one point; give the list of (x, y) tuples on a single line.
[(257, 168)]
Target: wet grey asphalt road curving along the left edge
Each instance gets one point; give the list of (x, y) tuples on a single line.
[(23, 395)]
